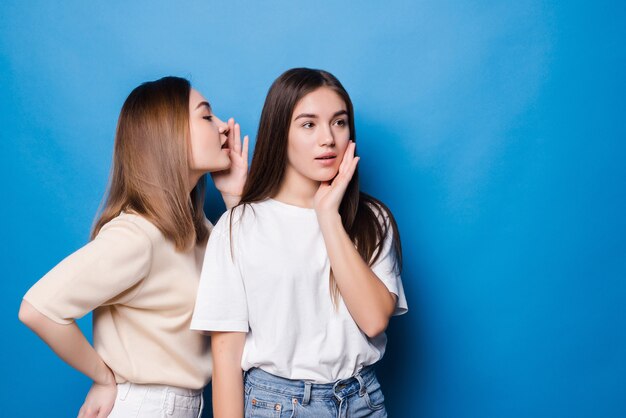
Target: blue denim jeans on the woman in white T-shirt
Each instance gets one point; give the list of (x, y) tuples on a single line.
[(267, 395)]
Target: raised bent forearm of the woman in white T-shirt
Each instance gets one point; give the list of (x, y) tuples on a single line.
[(367, 298)]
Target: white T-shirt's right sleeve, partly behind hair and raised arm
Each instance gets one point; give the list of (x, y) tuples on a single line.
[(385, 269)]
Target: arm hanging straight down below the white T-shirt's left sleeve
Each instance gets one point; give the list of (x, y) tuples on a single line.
[(228, 396)]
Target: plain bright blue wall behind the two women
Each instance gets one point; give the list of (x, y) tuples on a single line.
[(494, 130)]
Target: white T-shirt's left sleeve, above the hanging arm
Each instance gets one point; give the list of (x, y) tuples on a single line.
[(221, 303)]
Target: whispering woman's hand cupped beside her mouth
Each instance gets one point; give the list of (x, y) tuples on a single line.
[(230, 182)]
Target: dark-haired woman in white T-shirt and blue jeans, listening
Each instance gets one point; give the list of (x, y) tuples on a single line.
[(299, 281)]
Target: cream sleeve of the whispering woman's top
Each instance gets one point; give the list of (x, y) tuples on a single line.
[(116, 260)]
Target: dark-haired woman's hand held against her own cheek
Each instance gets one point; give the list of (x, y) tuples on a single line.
[(330, 193)]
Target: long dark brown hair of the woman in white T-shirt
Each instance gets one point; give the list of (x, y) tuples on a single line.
[(361, 214)]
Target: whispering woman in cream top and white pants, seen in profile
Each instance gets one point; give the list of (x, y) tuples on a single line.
[(140, 272)]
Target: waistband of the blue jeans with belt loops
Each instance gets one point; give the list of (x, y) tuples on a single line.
[(307, 390)]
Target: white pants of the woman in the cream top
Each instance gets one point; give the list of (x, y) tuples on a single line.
[(148, 401)]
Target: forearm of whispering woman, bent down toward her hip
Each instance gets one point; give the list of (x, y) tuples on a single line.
[(68, 342)]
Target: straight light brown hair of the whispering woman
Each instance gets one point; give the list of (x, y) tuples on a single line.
[(150, 168)]
